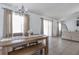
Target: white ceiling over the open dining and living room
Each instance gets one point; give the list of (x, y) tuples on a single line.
[(57, 10)]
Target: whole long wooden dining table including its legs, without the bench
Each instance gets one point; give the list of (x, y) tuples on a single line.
[(6, 43)]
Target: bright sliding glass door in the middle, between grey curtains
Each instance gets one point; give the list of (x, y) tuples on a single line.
[(47, 27)]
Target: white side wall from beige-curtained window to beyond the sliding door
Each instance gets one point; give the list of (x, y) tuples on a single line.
[(35, 24)]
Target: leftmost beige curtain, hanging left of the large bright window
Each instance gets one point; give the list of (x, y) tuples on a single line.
[(7, 25)]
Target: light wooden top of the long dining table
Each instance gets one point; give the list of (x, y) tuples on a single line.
[(10, 41)]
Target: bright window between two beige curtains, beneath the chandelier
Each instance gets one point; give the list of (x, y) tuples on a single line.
[(17, 23)]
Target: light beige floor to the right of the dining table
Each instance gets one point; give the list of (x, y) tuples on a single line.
[(57, 46)]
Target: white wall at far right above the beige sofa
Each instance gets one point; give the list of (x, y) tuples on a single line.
[(71, 22)]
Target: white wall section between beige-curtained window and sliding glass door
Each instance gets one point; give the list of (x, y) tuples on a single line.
[(35, 23)]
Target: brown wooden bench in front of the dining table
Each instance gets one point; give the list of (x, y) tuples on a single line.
[(28, 51)]
